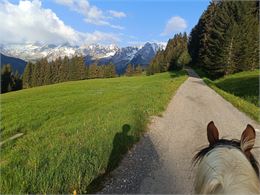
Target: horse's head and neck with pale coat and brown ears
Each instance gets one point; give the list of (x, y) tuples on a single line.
[(227, 166)]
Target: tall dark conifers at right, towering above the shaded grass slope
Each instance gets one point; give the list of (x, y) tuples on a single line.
[(226, 38)]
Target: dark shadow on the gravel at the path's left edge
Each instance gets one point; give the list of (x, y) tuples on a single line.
[(136, 167)]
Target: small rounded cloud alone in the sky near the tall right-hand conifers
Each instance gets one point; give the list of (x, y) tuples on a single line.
[(174, 24)]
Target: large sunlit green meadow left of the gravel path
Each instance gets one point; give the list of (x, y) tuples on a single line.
[(73, 131)]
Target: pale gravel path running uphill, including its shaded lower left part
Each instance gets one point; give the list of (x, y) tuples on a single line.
[(161, 161)]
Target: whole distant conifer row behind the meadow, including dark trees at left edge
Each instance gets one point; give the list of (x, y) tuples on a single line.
[(43, 72)]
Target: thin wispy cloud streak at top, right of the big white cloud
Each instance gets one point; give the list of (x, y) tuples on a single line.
[(92, 14)]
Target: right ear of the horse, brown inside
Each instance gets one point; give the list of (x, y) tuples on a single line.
[(247, 139)]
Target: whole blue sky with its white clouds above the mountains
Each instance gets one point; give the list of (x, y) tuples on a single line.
[(87, 21)]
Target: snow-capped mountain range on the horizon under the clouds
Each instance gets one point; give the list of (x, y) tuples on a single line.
[(101, 54)]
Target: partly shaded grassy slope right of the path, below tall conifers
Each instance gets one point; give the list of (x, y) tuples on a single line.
[(240, 89)]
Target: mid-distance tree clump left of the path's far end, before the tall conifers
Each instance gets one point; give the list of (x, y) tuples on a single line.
[(175, 55)]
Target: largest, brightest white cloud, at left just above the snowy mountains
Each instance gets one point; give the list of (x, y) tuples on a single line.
[(29, 22)]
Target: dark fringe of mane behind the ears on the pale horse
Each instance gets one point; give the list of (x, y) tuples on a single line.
[(224, 142)]
